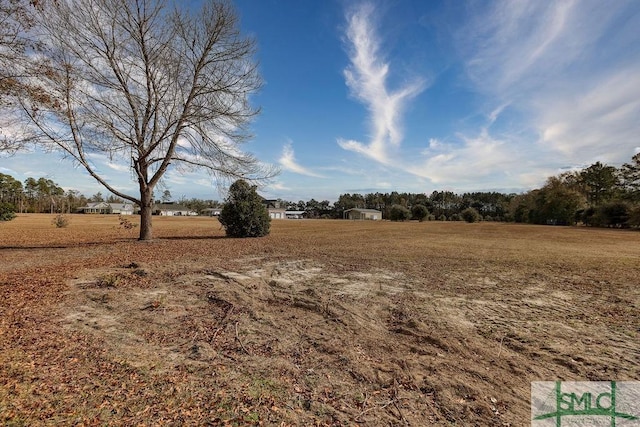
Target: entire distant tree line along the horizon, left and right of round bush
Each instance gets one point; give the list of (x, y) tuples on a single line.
[(599, 195)]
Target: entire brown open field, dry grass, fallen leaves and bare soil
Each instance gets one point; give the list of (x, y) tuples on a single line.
[(320, 323)]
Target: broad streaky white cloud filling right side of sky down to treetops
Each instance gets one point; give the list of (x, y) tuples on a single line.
[(565, 74)]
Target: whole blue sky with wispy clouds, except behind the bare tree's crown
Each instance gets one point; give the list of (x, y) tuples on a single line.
[(368, 96)]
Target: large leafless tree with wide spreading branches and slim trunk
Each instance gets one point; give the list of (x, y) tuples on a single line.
[(145, 84)]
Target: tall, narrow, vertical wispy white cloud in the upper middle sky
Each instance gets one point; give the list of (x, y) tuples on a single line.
[(367, 78)]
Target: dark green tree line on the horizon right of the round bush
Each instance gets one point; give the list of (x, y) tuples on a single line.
[(599, 195)]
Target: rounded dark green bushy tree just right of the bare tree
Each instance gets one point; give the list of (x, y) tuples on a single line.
[(244, 214)]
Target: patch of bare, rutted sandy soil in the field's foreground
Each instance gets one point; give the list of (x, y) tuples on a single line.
[(368, 347)]
